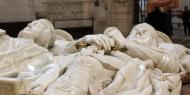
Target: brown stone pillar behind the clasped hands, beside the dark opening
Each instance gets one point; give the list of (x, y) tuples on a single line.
[(118, 13)]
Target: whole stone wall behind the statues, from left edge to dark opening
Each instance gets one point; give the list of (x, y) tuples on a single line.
[(71, 13)]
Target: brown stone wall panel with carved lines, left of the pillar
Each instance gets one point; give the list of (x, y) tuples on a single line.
[(70, 13)]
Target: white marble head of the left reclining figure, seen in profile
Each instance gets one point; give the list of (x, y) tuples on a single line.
[(41, 31)]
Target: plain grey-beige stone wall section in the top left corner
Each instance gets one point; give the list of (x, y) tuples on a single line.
[(16, 11)]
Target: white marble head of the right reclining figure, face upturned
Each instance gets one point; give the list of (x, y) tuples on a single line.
[(143, 34)]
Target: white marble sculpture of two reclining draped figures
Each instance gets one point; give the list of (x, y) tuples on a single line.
[(43, 60)]
